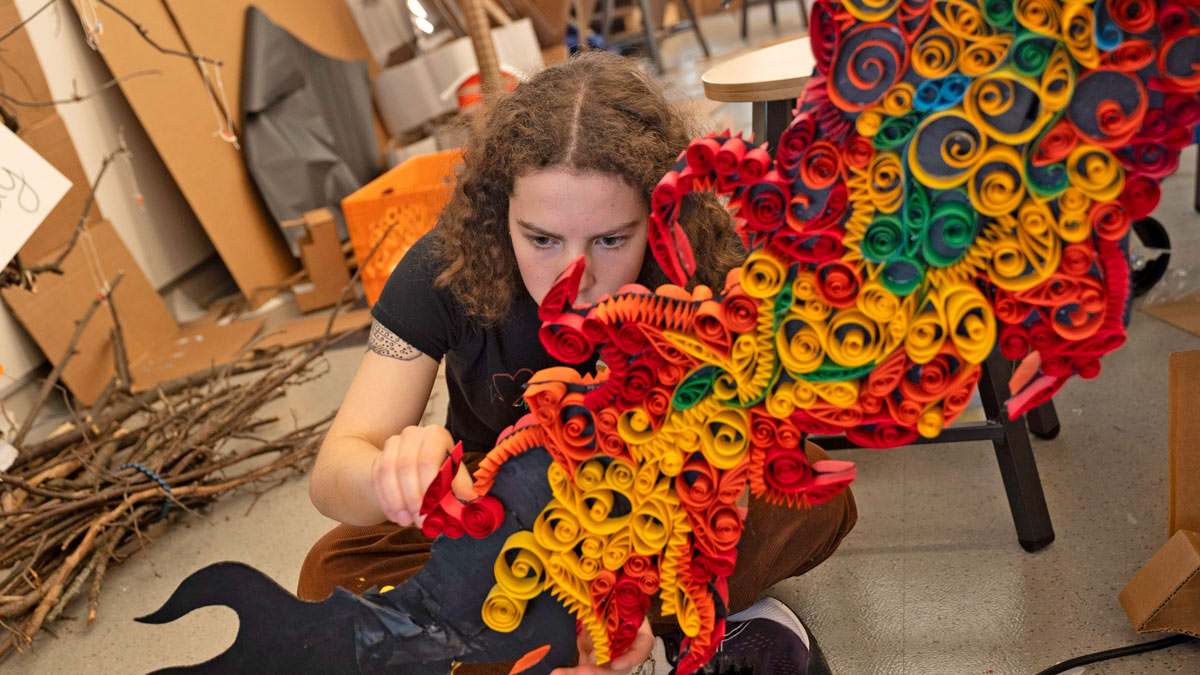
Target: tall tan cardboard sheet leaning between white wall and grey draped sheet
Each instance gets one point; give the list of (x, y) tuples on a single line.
[(177, 112)]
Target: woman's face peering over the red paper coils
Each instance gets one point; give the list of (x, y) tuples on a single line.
[(557, 216)]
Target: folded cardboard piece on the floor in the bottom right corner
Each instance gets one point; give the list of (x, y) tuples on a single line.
[(1165, 595)]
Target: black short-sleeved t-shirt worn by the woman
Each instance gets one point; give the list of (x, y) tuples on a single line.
[(487, 367)]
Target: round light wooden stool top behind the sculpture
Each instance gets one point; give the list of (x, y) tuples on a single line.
[(771, 74)]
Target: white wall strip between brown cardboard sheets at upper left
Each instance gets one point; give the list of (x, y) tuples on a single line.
[(165, 237)]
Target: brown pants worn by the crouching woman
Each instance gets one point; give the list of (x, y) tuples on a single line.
[(778, 543)]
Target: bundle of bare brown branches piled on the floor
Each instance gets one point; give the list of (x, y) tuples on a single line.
[(97, 492)]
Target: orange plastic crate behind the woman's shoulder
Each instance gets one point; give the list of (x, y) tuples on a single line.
[(412, 196)]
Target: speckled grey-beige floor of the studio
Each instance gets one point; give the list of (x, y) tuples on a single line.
[(931, 582)]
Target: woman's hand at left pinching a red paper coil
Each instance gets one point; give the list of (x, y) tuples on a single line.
[(405, 469)]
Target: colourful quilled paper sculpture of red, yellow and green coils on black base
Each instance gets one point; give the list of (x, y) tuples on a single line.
[(961, 178)]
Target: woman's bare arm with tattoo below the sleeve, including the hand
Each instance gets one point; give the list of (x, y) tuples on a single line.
[(375, 462)]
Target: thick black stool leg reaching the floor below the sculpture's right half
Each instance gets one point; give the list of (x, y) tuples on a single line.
[(1016, 458)]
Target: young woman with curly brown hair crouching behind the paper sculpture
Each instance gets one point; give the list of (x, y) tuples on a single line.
[(562, 166)]
